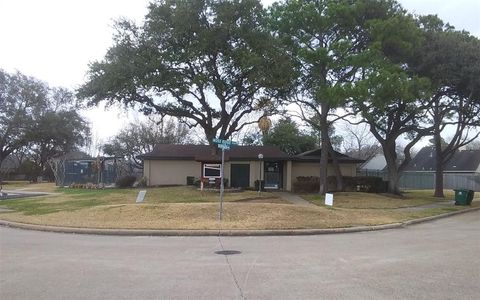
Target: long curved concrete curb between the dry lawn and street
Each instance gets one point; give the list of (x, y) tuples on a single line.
[(240, 232)]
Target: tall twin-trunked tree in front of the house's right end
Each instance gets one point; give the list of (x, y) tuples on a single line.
[(327, 40)]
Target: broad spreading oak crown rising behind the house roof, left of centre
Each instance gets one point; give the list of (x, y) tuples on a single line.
[(208, 62)]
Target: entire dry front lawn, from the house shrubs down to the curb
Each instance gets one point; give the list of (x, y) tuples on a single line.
[(188, 208)]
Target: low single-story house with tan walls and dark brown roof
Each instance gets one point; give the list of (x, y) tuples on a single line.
[(172, 164)]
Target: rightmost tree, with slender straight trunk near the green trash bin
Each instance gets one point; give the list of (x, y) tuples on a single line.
[(450, 59)]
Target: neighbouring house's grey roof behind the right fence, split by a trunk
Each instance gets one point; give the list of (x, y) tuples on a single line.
[(462, 161)]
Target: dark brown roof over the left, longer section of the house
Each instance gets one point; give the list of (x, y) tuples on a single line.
[(207, 153)]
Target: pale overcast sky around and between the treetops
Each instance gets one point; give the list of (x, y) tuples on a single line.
[(54, 40)]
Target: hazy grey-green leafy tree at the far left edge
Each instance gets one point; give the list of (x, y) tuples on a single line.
[(38, 120)]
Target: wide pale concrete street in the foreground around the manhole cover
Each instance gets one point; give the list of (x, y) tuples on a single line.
[(436, 260)]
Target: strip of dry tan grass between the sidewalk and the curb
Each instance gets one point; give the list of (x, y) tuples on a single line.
[(205, 216)]
